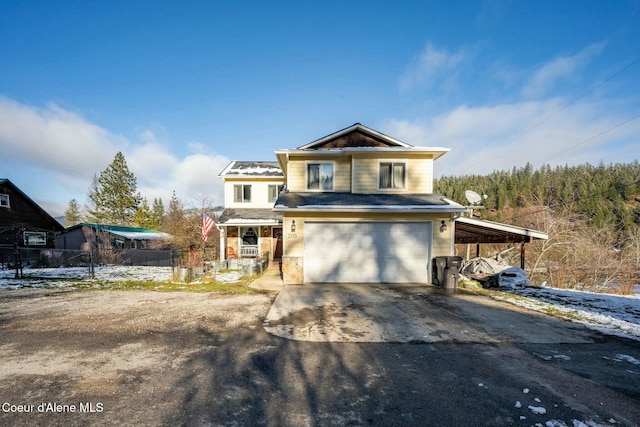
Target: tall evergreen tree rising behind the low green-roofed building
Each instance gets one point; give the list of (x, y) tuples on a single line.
[(114, 198)]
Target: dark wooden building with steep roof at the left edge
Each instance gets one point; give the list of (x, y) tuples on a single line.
[(23, 222)]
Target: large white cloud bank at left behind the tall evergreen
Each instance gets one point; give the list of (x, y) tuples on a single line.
[(52, 154)]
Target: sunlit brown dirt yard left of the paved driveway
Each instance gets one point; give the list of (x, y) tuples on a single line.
[(113, 357)]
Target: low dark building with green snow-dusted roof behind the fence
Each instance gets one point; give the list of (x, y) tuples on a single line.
[(83, 237)]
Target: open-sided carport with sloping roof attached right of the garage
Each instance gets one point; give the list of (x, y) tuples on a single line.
[(476, 231)]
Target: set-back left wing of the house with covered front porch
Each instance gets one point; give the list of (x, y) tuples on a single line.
[(249, 226)]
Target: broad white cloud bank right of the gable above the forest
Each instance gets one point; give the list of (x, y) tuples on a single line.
[(500, 137)]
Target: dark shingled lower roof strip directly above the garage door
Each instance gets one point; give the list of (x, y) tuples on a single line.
[(376, 202)]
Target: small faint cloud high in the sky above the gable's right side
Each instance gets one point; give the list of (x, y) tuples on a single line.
[(430, 64)]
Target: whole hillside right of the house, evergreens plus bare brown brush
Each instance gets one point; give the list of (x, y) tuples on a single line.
[(591, 214)]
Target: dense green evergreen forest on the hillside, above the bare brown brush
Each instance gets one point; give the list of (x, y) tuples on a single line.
[(605, 195)]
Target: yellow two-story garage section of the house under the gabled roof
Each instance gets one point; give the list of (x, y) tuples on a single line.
[(358, 207)]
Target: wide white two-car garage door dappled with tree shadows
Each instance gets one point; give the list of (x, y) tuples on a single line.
[(366, 252)]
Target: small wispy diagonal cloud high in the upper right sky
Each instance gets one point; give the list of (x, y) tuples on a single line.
[(563, 67)]
